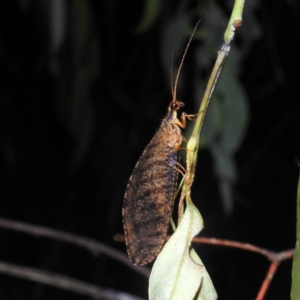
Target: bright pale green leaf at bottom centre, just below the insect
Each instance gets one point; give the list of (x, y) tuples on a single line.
[(175, 274)]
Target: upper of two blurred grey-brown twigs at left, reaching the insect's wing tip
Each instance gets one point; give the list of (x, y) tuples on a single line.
[(89, 244)]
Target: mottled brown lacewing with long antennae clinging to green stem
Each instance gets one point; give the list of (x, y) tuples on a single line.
[(149, 195)]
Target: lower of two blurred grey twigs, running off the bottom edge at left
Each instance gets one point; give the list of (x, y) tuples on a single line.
[(64, 282)]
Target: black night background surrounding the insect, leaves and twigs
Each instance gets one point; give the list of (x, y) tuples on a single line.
[(78, 107)]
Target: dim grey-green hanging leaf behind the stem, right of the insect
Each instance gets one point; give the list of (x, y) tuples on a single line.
[(225, 127)]
